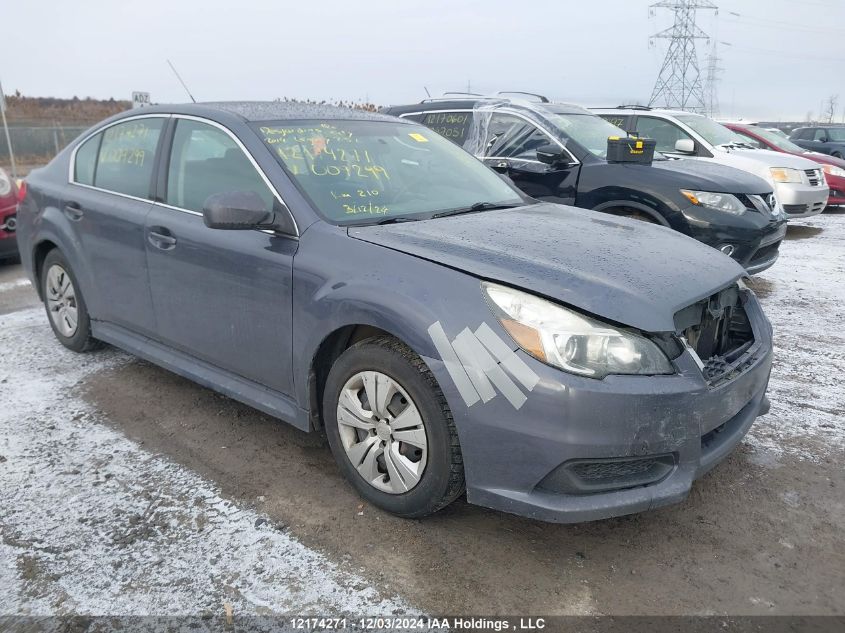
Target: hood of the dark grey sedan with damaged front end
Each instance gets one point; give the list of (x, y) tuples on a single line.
[(623, 270)]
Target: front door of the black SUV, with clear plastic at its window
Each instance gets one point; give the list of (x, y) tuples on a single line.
[(510, 147)]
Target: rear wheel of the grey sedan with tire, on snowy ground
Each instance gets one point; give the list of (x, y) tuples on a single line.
[(65, 305)]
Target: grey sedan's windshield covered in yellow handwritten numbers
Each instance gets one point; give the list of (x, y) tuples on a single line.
[(363, 172)]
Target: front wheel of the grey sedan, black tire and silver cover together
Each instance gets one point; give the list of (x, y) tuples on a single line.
[(390, 429)]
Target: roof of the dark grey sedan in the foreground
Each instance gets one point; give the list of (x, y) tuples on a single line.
[(253, 111)]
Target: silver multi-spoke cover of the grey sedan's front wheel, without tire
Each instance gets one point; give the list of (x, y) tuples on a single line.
[(382, 432)]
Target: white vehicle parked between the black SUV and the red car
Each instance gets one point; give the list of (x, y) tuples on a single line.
[(799, 184)]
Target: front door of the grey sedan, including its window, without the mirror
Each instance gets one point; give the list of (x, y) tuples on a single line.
[(221, 296)]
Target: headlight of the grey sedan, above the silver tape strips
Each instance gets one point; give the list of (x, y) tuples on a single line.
[(571, 341)]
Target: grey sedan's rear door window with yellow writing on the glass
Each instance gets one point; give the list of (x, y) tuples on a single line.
[(127, 156)]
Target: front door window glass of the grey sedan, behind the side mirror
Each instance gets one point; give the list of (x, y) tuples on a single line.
[(205, 161)]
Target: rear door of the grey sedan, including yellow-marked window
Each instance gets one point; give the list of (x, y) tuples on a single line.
[(107, 205)]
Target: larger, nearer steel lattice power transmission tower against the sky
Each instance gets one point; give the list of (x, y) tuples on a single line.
[(679, 83)]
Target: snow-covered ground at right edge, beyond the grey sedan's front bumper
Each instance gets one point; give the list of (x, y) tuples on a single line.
[(803, 295)]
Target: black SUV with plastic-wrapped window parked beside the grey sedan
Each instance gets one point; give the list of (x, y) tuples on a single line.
[(721, 206)]
